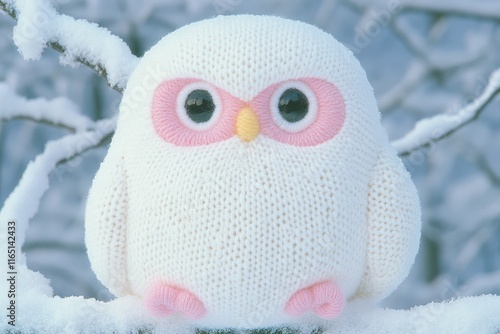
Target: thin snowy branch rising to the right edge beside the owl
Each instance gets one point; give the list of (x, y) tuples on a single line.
[(430, 130)]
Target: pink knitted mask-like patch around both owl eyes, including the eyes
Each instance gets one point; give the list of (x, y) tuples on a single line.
[(303, 112)]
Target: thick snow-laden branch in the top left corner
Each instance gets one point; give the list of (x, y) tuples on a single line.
[(39, 26)]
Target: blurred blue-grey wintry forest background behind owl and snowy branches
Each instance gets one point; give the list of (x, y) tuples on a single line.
[(422, 57)]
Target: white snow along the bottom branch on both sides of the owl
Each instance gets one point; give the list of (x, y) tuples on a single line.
[(39, 312)]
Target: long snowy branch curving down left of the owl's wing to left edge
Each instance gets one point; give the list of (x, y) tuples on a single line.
[(22, 204)]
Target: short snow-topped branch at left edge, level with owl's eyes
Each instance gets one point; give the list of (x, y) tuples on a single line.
[(59, 112)]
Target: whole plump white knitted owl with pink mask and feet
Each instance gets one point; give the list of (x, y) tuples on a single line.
[(249, 182)]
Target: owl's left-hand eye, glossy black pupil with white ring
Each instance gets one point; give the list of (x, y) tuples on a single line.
[(198, 106)]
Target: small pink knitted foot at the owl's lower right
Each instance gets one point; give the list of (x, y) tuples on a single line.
[(325, 299)]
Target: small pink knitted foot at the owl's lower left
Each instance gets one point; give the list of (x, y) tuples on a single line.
[(163, 299)]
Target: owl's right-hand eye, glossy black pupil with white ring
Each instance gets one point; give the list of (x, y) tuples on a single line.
[(294, 106)]
